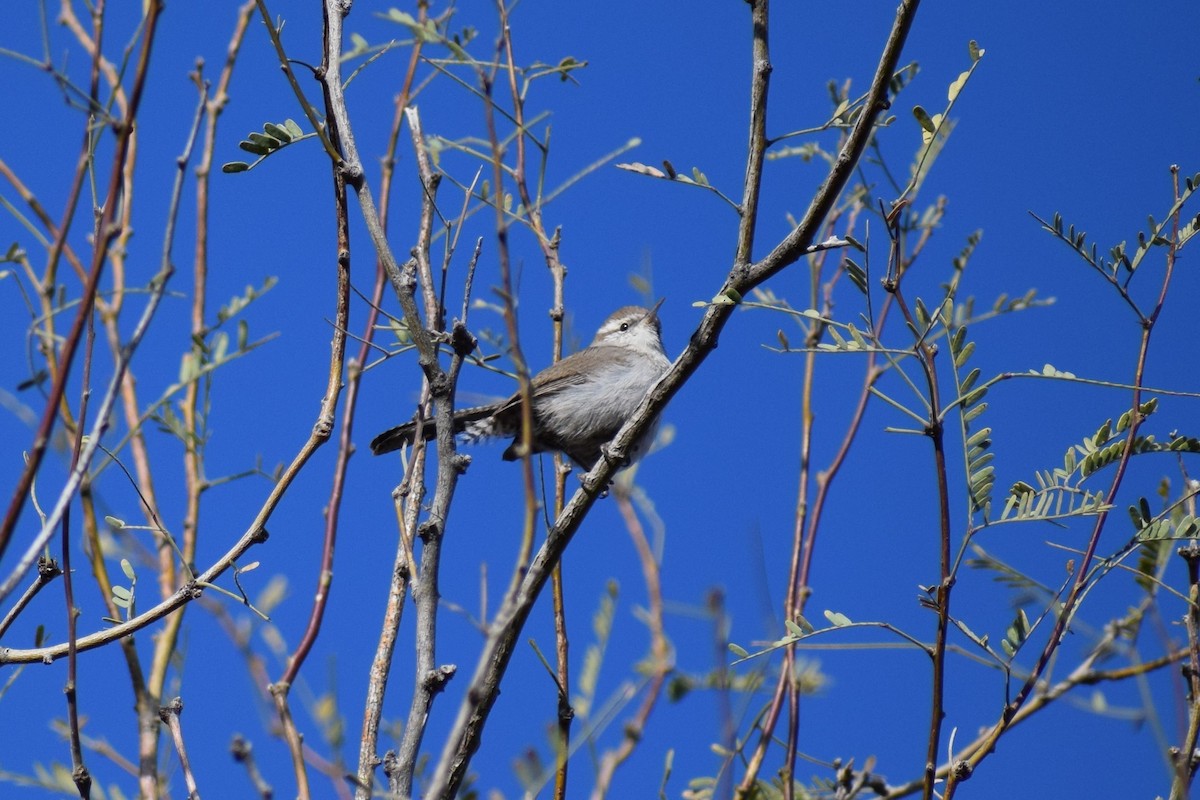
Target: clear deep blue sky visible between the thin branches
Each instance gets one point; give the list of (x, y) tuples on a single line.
[(1076, 109)]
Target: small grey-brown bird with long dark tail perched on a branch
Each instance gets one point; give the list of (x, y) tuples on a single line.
[(578, 404)]
